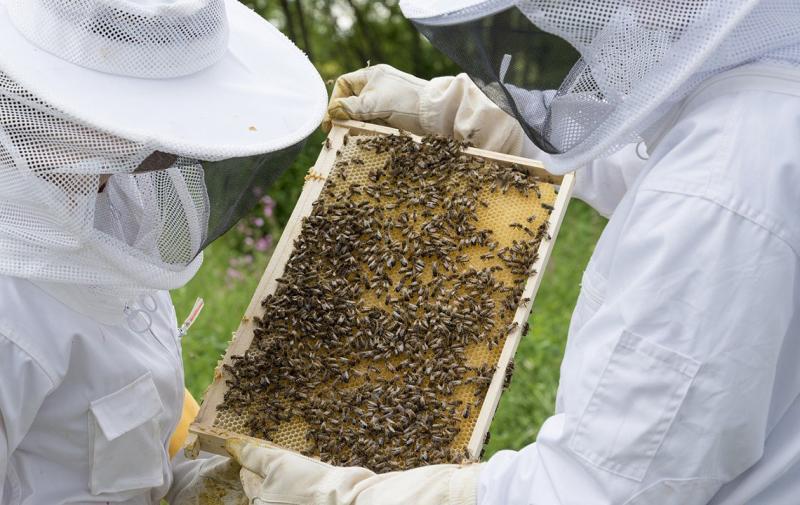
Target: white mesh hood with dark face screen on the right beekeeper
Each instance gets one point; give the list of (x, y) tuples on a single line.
[(637, 58)]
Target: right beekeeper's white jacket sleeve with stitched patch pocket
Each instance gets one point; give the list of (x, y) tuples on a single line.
[(671, 375)]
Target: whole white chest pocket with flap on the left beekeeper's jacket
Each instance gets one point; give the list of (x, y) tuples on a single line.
[(127, 451)]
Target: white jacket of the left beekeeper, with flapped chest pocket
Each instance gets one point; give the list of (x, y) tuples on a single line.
[(87, 409)]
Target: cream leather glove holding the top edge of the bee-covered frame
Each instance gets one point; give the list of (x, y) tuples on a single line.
[(451, 106)]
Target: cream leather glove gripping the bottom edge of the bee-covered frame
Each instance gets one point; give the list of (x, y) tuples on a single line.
[(272, 476)]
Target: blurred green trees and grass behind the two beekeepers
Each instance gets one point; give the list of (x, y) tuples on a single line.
[(340, 36)]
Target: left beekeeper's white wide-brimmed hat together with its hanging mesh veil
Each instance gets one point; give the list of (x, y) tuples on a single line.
[(135, 132)]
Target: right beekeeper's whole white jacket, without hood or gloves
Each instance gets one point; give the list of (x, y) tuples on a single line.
[(680, 384)]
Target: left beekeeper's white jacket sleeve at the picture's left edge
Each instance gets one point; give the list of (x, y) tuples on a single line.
[(24, 385)]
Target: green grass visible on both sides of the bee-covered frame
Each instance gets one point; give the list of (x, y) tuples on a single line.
[(523, 408)]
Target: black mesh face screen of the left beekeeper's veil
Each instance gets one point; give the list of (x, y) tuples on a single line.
[(234, 186)]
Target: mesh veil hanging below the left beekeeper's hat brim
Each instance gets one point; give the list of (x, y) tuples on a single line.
[(143, 231)]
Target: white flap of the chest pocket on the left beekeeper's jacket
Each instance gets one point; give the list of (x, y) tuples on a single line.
[(127, 408)]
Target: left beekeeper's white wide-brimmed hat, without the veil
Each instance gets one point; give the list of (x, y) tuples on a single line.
[(209, 79)]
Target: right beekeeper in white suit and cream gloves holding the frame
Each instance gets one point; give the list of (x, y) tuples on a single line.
[(680, 384)]
